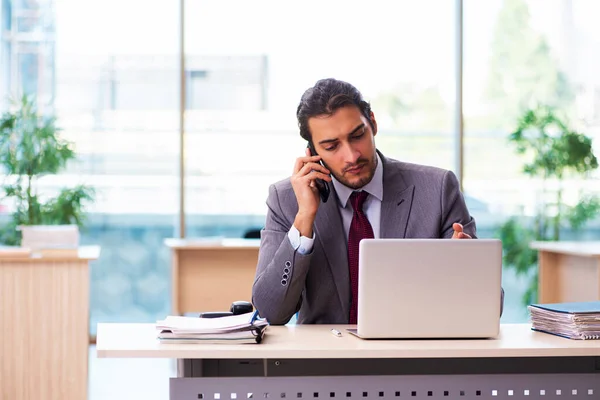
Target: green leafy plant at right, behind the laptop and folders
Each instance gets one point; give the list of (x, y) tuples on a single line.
[(554, 152)]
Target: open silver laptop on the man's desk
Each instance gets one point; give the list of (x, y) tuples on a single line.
[(429, 288)]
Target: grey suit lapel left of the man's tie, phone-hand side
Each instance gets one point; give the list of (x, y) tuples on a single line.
[(330, 231)]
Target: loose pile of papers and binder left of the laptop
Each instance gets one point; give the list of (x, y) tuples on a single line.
[(243, 328)]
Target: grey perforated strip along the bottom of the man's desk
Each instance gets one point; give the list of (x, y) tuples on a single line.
[(413, 387)]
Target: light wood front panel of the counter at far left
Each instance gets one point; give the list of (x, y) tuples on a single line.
[(44, 315)]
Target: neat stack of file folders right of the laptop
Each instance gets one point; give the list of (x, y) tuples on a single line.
[(571, 320)]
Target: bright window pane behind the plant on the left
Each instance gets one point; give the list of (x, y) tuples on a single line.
[(108, 70)]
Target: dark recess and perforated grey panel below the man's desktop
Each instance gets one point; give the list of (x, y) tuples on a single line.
[(386, 379)]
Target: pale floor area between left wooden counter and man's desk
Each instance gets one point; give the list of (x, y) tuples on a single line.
[(127, 378)]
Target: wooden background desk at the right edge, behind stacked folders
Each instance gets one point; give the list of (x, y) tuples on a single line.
[(568, 271)]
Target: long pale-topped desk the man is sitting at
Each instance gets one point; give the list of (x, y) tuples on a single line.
[(309, 362)]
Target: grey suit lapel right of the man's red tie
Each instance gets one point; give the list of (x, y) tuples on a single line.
[(396, 204)]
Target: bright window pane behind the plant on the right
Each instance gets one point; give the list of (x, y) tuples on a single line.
[(520, 53)]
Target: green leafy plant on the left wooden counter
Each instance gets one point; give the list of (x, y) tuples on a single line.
[(30, 148)]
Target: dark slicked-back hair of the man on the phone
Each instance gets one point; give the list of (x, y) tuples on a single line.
[(327, 96)]
